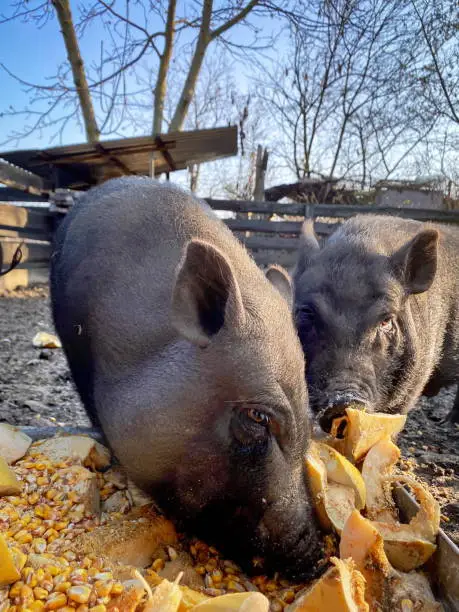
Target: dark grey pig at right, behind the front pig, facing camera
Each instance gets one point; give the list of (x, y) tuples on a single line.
[(377, 310)]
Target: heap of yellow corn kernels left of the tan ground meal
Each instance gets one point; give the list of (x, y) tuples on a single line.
[(51, 510)]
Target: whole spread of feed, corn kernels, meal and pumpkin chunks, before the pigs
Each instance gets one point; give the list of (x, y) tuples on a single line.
[(76, 534)]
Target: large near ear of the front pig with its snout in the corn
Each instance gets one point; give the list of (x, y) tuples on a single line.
[(206, 295)]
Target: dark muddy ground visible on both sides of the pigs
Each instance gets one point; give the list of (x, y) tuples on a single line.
[(36, 389)]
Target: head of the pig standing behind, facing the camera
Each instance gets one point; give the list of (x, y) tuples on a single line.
[(359, 312)]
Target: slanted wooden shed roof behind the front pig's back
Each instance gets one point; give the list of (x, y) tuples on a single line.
[(83, 165)]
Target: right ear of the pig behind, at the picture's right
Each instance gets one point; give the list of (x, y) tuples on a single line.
[(416, 261)]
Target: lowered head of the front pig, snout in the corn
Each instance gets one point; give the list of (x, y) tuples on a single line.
[(242, 481)]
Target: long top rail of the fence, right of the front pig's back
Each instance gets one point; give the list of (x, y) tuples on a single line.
[(332, 210)]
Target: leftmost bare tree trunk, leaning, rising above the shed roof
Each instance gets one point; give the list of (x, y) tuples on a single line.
[(64, 15)]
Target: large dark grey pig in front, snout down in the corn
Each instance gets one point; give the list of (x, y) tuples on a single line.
[(188, 358)]
